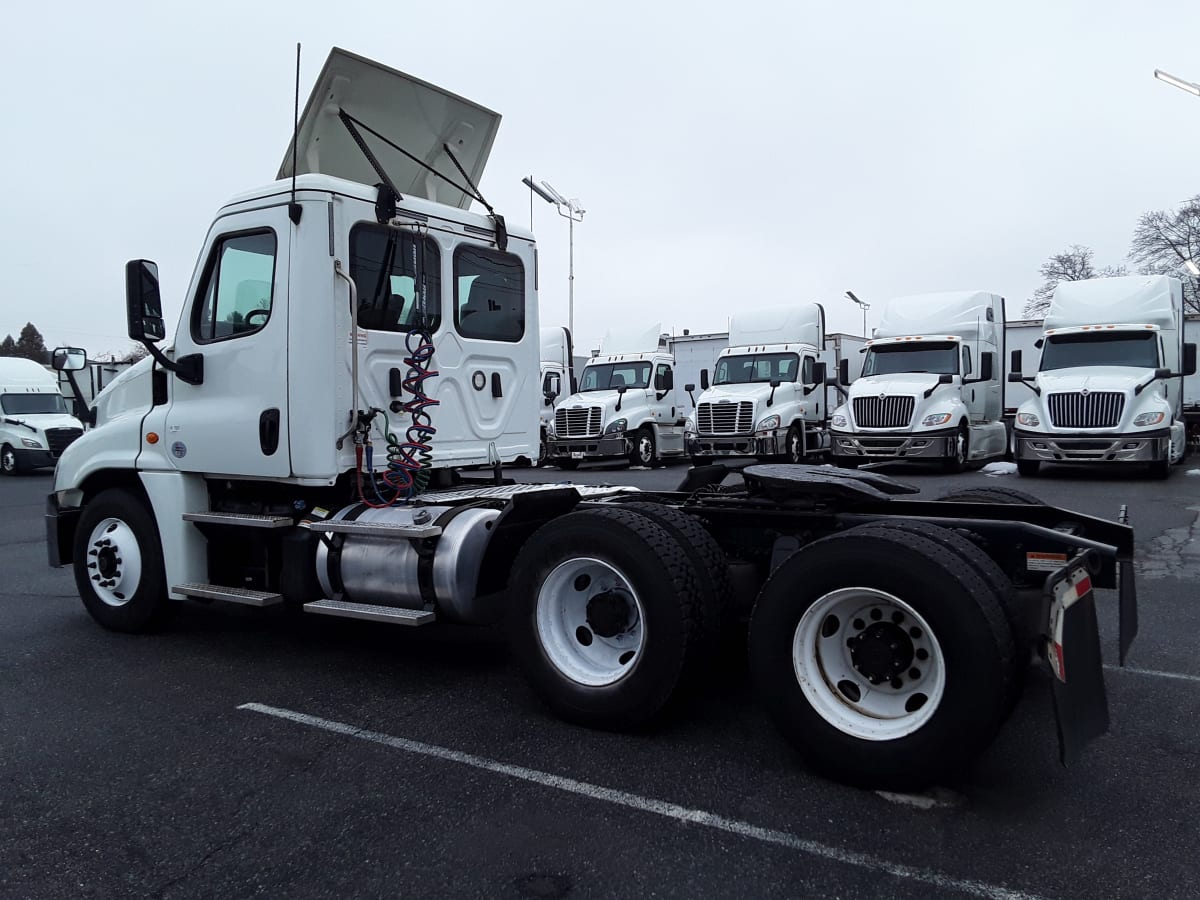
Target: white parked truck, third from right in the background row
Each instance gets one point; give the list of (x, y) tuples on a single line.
[(767, 397)]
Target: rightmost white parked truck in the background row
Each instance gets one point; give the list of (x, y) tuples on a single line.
[(1109, 386)]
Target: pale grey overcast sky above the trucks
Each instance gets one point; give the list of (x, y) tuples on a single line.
[(728, 155)]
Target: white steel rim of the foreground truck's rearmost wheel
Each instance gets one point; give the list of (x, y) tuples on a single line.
[(869, 664)]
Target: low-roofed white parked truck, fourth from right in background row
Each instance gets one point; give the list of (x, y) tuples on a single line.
[(625, 406)]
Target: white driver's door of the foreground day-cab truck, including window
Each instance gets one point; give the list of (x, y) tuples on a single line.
[(236, 422)]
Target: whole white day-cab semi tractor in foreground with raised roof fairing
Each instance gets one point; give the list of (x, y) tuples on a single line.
[(358, 304)]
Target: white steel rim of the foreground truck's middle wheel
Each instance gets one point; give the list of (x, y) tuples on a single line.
[(591, 622)]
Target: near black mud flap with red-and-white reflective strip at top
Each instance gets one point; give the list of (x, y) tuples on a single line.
[(1073, 653)]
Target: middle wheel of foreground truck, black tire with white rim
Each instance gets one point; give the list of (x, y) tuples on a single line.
[(605, 619)]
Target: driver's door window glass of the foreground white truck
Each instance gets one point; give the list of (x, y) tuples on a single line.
[(238, 287)]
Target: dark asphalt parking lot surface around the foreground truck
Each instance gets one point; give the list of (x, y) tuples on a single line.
[(245, 753)]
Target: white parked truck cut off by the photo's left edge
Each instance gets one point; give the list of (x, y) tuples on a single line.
[(35, 423)]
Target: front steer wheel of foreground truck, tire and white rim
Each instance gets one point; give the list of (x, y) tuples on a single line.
[(118, 563)]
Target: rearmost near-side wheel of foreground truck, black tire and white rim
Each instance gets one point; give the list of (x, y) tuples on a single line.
[(884, 657)]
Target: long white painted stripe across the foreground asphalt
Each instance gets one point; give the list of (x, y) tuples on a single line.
[(647, 805)]
